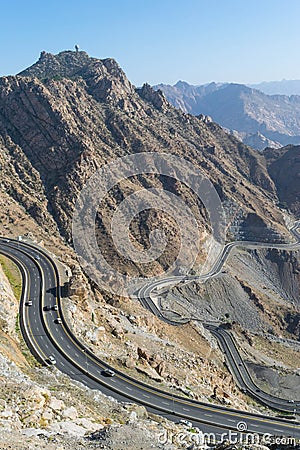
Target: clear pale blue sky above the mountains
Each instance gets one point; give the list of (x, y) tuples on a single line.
[(160, 41)]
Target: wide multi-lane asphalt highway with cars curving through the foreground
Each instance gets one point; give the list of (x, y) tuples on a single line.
[(45, 337)]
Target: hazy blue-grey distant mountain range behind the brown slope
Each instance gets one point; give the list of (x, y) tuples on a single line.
[(258, 119)]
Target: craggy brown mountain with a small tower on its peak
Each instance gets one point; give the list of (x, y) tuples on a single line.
[(69, 114)]
